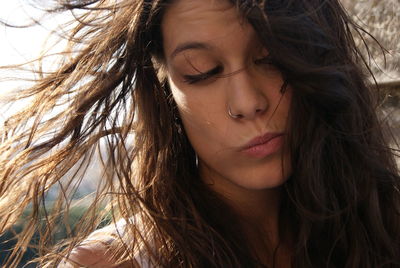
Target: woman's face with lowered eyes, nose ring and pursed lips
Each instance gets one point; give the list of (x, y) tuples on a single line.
[(227, 94)]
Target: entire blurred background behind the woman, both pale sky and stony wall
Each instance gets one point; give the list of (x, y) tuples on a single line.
[(20, 44)]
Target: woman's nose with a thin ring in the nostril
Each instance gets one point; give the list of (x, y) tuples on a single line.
[(245, 97)]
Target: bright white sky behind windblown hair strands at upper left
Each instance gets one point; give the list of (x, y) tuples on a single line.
[(19, 45)]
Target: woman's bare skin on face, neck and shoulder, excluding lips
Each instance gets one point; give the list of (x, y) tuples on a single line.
[(245, 86)]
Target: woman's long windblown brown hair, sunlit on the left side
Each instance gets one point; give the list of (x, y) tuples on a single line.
[(341, 204)]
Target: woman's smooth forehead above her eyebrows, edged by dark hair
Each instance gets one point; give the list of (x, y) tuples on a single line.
[(209, 21)]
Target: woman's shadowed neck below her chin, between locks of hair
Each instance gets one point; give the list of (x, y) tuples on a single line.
[(258, 213)]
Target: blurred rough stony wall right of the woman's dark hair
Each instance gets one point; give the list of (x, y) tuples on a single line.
[(381, 18)]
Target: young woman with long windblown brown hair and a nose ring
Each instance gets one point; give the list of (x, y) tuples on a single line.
[(256, 140)]
